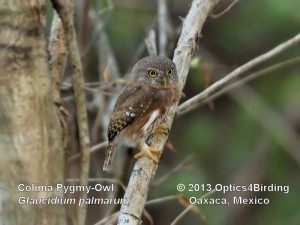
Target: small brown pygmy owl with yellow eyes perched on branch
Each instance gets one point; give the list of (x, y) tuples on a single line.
[(151, 89)]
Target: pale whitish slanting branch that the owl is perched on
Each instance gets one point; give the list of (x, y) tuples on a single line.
[(144, 169)]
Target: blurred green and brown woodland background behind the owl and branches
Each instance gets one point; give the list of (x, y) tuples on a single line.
[(248, 135)]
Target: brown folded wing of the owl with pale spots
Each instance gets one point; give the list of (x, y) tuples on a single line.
[(131, 104)]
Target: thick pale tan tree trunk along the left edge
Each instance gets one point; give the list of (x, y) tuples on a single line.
[(30, 141)]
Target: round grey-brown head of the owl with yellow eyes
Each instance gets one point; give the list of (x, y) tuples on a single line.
[(156, 70)]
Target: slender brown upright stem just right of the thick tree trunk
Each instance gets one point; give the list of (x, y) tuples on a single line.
[(65, 11)]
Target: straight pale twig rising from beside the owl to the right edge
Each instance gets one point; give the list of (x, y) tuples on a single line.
[(189, 104)]
